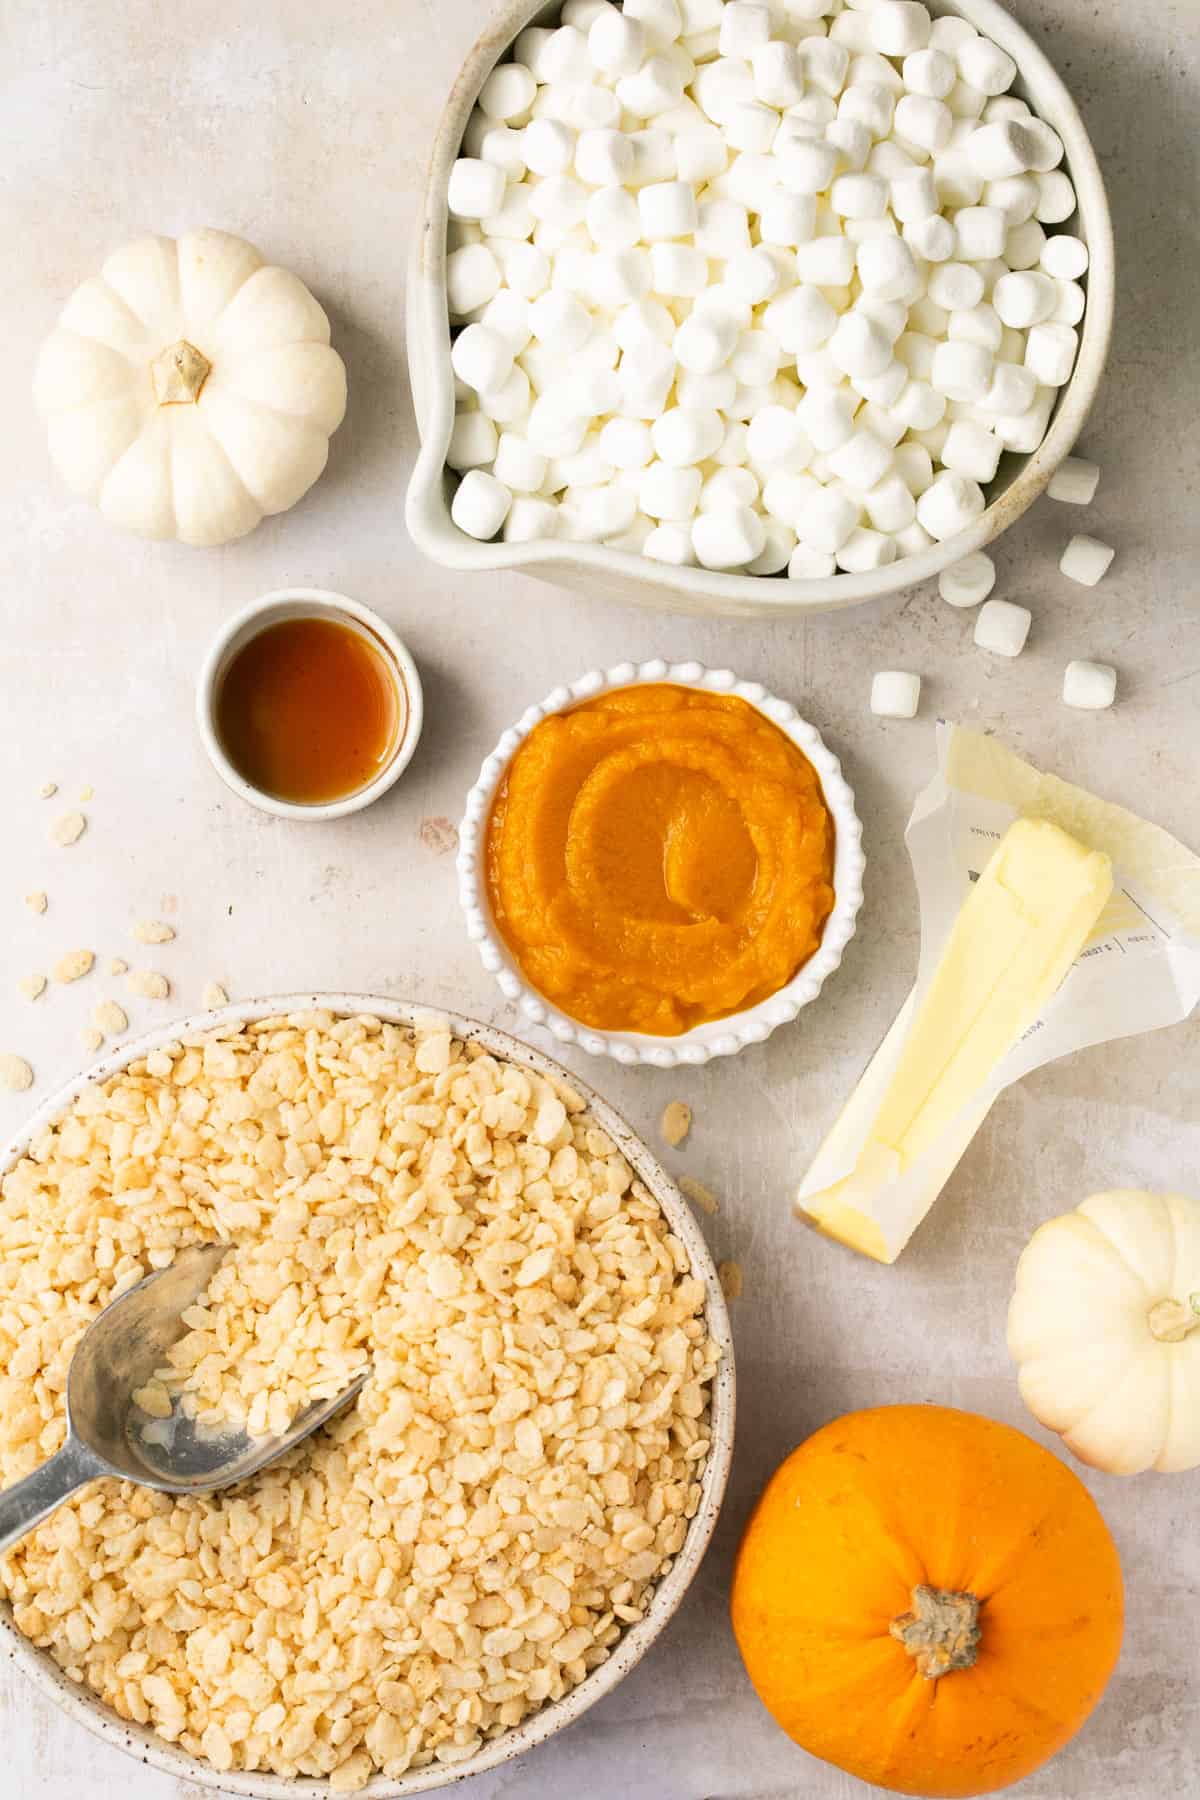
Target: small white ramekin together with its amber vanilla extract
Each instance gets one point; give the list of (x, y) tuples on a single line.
[(309, 705)]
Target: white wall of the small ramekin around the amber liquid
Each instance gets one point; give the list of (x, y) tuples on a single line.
[(309, 604)]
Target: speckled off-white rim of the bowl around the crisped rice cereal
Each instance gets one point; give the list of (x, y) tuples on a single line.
[(145, 1745)]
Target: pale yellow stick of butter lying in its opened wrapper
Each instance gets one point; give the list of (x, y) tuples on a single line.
[(929, 1086)]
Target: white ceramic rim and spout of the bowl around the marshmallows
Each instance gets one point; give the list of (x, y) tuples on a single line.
[(622, 575)]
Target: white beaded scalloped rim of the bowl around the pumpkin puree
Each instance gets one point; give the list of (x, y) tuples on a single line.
[(719, 1038)]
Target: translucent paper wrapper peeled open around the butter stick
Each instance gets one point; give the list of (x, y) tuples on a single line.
[(1138, 971)]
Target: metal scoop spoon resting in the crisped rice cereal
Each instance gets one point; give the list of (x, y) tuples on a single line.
[(107, 1435)]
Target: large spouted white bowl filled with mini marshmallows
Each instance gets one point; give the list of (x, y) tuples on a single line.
[(751, 307)]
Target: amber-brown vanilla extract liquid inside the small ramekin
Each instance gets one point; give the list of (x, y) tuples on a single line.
[(310, 712)]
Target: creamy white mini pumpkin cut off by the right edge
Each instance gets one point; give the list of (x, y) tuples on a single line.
[(1106, 1331)]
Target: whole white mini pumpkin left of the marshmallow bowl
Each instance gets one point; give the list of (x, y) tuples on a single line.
[(192, 388)]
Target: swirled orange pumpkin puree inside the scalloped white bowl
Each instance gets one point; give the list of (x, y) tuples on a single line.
[(659, 858)]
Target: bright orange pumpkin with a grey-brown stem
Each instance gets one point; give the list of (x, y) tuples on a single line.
[(927, 1599)]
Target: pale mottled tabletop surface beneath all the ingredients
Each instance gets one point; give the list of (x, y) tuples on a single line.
[(303, 125)]
